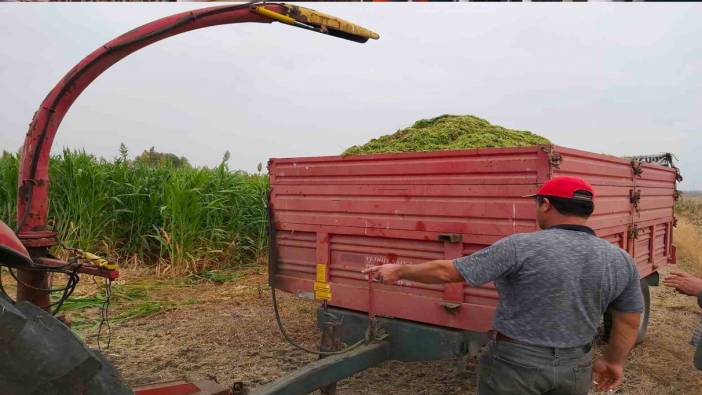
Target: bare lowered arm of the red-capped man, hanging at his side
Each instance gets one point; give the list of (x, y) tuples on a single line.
[(608, 372)]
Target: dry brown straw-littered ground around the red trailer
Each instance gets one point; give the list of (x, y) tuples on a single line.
[(227, 332)]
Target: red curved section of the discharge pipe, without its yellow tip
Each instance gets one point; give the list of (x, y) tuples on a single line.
[(33, 180)]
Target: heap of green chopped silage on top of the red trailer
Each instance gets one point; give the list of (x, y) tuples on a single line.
[(448, 132)]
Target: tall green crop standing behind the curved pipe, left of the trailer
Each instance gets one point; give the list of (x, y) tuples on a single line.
[(183, 219)]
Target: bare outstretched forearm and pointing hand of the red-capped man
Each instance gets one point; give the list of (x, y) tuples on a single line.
[(432, 272)]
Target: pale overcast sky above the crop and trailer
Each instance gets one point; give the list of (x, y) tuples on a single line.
[(605, 77)]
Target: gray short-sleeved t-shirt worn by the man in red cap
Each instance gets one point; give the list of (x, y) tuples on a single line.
[(555, 284)]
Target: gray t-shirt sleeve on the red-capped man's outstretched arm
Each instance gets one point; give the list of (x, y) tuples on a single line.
[(488, 264)]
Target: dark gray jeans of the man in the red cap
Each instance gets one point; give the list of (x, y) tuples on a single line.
[(508, 368)]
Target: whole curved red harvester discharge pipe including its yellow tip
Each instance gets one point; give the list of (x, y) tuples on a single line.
[(33, 179)]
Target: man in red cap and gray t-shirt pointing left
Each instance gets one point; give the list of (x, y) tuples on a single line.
[(554, 287)]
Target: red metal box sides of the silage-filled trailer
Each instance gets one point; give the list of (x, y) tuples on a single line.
[(382, 208)]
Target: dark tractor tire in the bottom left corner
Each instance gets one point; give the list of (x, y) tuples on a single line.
[(41, 355)]
